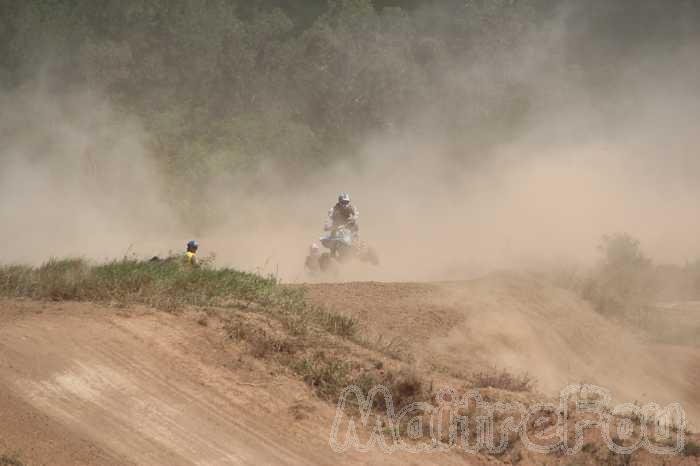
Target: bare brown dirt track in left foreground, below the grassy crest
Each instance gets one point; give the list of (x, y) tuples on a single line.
[(81, 384)]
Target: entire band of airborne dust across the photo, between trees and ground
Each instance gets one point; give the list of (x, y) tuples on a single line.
[(77, 178)]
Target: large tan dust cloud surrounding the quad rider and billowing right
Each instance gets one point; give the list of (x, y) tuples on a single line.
[(537, 200)]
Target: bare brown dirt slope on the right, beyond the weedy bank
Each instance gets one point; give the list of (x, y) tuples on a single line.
[(521, 324)]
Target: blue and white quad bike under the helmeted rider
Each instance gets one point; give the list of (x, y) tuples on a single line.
[(343, 245)]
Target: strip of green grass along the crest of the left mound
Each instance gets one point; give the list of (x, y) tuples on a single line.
[(169, 285)]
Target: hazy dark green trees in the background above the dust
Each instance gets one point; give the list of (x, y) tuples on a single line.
[(225, 86)]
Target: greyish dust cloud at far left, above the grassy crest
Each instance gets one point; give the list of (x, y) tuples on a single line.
[(75, 181)]
